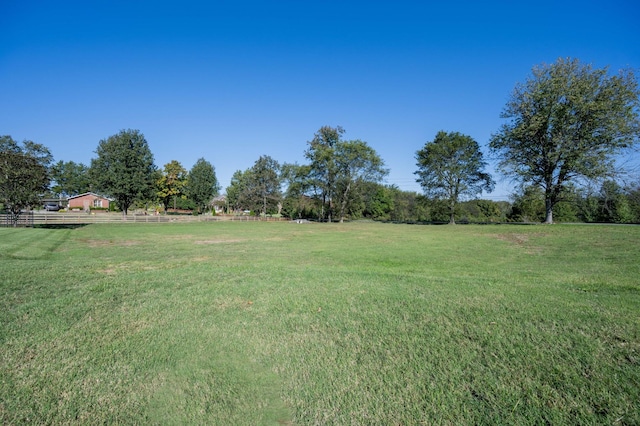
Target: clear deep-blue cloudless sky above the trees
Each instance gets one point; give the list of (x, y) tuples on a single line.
[(232, 80)]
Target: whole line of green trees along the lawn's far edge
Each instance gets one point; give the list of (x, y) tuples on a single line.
[(564, 126)]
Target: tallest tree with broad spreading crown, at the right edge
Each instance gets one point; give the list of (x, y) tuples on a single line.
[(566, 121)]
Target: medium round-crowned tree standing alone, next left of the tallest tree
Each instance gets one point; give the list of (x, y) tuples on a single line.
[(450, 167)]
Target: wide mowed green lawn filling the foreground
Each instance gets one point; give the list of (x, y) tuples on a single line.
[(282, 323)]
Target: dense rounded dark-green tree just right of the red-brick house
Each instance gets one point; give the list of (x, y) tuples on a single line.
[(124, 168)]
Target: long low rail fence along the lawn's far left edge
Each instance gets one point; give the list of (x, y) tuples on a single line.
[(68, 219)]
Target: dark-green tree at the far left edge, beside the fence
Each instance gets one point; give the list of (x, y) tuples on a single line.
[(24, 175)]
